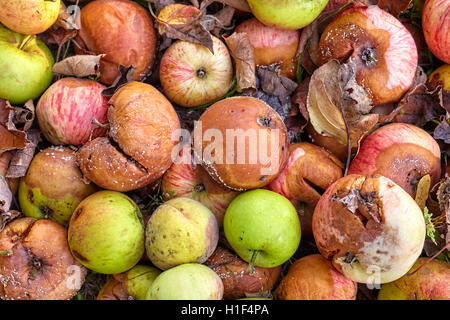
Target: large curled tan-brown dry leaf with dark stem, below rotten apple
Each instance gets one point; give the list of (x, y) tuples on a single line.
[(337, 104)]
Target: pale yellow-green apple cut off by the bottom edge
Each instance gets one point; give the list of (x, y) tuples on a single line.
[(188, 281)]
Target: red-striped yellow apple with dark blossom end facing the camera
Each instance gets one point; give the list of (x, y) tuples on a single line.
[(191, 75)]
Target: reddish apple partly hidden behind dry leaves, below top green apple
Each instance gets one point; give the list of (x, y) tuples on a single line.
[(272, 45)]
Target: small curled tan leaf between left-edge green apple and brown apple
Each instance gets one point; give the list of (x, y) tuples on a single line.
[(78, 66)]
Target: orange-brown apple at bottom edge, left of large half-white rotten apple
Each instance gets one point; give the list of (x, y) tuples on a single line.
[(313, 277)]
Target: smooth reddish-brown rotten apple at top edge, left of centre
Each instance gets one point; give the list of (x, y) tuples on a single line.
[(121, 29)]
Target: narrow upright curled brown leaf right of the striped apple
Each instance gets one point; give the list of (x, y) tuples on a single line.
[(243, 55)]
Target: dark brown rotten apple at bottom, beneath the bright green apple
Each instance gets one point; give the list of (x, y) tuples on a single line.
[(238, 280)]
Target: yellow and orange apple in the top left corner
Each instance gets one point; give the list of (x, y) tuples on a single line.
[(30, 16)]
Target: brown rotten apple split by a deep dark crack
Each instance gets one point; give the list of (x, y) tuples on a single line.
[(139, 148)]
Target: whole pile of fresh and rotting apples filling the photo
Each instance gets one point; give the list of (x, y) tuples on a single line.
[(120, 187)]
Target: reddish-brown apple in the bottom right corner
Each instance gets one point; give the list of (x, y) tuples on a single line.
[(429, 283)]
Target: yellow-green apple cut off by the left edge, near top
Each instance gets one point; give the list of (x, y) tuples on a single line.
[(24, 73)]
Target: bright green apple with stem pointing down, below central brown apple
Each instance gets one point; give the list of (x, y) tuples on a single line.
[(262, 227)]
